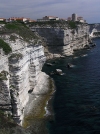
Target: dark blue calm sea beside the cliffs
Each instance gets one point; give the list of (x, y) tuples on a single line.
[(77, 98)]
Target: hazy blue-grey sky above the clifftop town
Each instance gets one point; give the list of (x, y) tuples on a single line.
[(36, 9)]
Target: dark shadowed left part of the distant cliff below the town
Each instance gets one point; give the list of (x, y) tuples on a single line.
[(53, 39)]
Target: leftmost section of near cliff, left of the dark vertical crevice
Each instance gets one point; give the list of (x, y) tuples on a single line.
[(5, 98)]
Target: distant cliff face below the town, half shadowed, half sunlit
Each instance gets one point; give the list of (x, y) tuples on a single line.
[(64, 40)]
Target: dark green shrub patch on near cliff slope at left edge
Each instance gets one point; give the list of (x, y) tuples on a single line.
[(6, 48)]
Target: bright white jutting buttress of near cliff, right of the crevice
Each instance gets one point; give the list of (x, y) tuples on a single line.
[(24, 76)]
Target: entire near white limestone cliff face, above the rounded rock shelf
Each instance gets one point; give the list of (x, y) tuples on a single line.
[(20, 71)]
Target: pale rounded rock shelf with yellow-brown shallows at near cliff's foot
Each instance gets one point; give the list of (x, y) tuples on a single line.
[(36, 109)]
